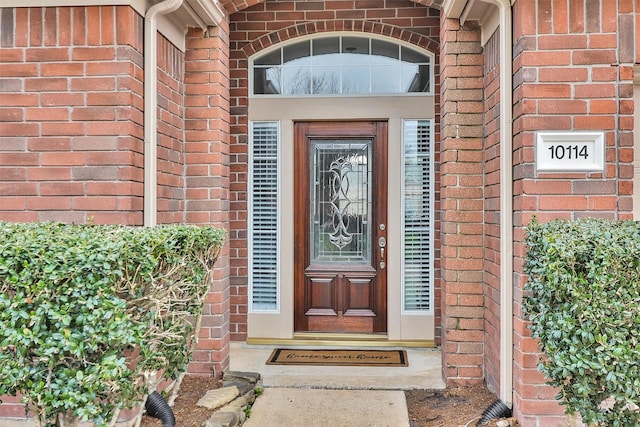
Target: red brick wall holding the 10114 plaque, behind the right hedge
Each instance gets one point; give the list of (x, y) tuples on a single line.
[(572, 71)]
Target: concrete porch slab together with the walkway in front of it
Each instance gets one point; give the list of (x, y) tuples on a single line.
[(338, 396)]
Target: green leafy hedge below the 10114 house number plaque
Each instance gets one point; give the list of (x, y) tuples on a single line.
[(583, 300)]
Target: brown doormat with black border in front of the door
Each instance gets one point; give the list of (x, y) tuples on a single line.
[(284, 356)]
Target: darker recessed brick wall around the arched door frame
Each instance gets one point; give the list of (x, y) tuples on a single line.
[(265, 24)]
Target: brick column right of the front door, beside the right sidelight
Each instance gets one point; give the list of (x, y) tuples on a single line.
[(462, 194)]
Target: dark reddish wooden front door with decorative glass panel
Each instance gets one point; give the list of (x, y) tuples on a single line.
[(340, 227)]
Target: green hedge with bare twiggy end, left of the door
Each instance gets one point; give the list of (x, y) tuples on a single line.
[(88, 312)]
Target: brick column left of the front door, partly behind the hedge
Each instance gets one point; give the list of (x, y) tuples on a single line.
[(207, 178)]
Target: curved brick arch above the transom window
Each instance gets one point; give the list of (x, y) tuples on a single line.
[(362, 26)]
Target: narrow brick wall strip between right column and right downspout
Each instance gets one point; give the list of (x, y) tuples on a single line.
[(492, 217)]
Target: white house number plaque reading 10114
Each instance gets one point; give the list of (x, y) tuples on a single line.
[(570, 151)]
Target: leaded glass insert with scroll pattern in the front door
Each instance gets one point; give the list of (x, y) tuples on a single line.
[(340, 201)]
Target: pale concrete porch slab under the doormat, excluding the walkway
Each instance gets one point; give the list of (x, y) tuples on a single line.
[(424, 371)]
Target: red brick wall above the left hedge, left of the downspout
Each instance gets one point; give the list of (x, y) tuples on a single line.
[(71, 115)]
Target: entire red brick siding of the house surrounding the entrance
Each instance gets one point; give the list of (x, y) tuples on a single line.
[(71, 138)]
